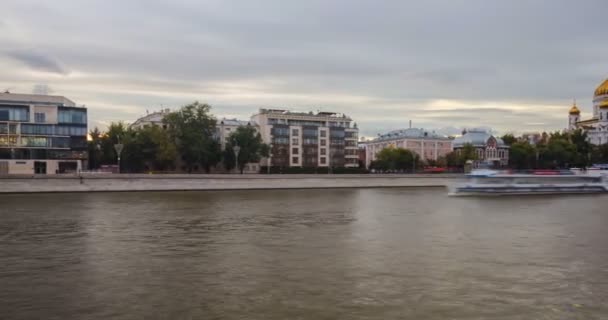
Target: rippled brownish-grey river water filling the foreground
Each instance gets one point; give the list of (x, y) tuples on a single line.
[(302, 254)]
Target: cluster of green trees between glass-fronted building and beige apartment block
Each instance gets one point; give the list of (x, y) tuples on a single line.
[(186, 142)]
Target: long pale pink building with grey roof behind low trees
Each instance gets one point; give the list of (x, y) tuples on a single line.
[(427, 145)]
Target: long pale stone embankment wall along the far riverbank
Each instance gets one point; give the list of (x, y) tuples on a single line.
[(143, 182)]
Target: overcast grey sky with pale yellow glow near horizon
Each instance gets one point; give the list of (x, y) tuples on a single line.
[(513, 66)]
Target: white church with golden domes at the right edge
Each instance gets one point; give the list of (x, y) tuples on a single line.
[(597, 126)]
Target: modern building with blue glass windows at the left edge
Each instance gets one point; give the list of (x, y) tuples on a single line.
[(41, 134)]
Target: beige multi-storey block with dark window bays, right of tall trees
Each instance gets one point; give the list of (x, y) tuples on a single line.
[(297, 139)]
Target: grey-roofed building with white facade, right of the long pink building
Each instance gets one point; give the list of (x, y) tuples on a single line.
[(489, 149)]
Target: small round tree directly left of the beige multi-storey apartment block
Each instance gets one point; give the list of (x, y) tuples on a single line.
[(251, 147)]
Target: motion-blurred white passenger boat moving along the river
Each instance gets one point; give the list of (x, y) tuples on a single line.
[(490, 182)]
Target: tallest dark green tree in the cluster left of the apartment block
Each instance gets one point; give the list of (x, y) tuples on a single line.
[(192, 129)]
